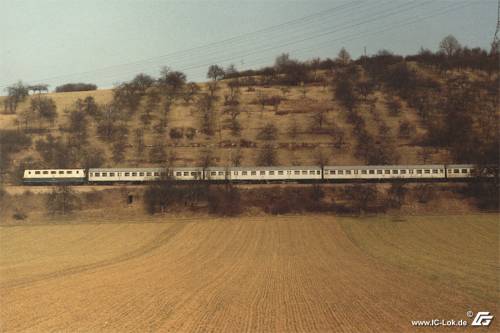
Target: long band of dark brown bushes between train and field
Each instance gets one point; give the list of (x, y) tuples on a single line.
[(231, 200)]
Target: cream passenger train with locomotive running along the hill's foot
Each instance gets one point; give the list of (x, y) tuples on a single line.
[(252, 174)]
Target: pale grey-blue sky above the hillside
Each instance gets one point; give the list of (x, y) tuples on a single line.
[(106, 42)]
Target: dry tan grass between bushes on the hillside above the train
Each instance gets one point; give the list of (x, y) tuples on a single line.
[(295, 107)]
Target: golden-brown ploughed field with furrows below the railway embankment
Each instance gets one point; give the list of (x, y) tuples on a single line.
[(305, 273)]
